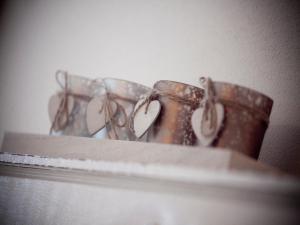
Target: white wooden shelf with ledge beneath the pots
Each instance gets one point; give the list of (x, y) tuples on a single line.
[(72, 180)]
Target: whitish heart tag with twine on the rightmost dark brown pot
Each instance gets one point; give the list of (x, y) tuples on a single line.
[(200, 128)]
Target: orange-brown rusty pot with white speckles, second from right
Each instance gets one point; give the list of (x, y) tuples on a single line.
[(178, 102)]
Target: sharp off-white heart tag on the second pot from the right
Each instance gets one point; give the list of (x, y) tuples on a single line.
[(142, 121)]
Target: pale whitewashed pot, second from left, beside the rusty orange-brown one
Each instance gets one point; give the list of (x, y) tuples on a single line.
[(125, 94)]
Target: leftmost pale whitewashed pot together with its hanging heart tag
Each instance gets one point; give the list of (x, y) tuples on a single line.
[(79, 91)]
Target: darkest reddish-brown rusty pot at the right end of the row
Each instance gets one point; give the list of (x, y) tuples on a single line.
[(246, 118)]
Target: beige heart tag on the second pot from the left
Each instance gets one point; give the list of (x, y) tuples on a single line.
[(95, 118)]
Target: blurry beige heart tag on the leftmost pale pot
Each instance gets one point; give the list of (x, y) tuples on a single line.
[(53, 107)]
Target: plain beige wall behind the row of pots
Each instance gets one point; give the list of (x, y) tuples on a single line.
[(251, 43)]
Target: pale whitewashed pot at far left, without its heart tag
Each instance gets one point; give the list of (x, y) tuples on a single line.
[(81, 90)]
